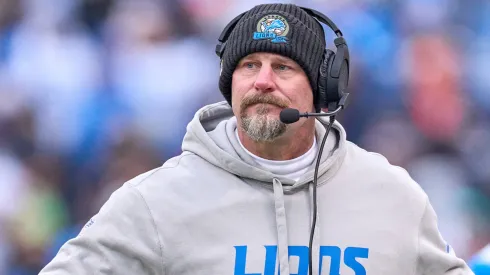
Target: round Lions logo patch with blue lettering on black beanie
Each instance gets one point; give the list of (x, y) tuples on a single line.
[(272, 27)]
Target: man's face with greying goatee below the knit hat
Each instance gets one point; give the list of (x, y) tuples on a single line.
[(263, 85)]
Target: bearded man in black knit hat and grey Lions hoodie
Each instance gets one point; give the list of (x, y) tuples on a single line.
[(238, 200)]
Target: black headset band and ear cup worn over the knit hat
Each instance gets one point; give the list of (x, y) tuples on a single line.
[(333, 76)]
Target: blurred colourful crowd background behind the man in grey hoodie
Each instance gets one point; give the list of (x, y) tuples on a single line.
[(94, 92)]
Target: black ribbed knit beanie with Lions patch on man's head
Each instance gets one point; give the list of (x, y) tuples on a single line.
[(284, 29)]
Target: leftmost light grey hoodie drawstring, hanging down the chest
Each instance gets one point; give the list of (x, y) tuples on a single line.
[(282, 229)]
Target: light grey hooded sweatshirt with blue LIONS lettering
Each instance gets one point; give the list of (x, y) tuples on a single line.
[(213, 210)]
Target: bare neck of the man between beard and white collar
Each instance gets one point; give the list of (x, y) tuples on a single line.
[(287, 147)]
